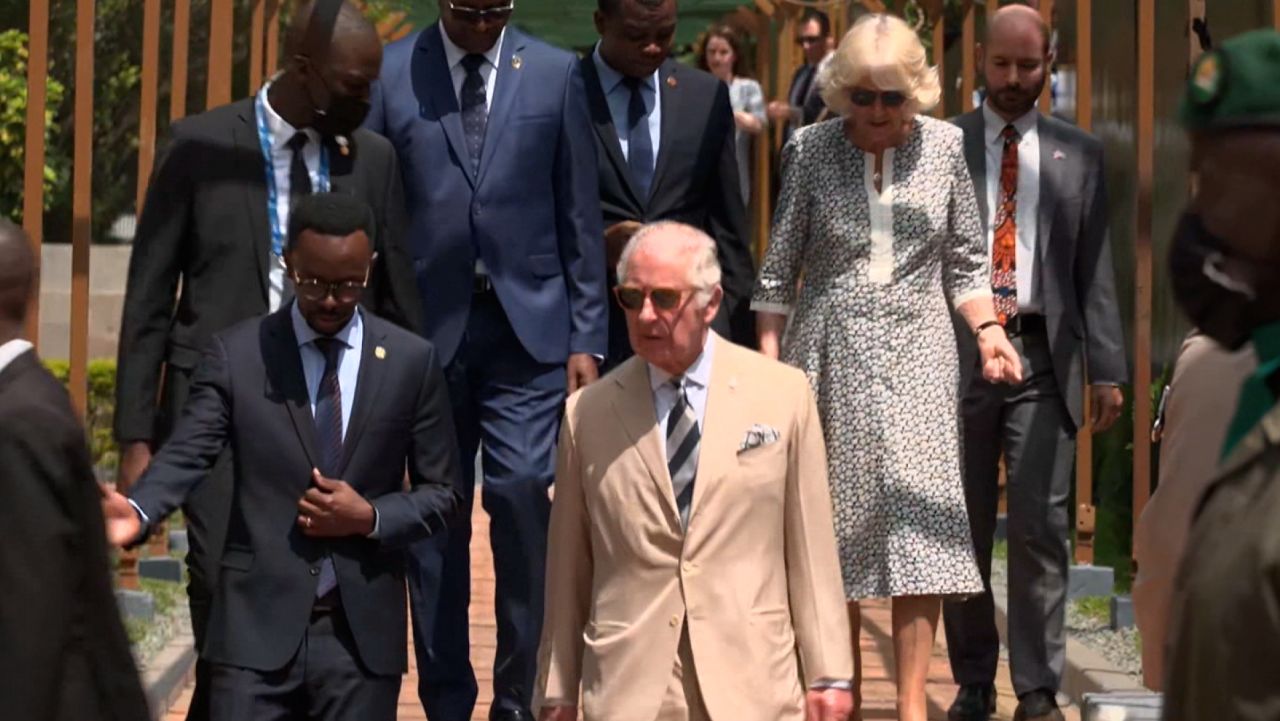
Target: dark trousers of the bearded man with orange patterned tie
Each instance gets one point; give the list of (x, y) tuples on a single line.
[(1034, 428)]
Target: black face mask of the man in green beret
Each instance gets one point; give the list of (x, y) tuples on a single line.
[(1218, 302)]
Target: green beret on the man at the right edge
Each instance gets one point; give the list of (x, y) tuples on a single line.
[(1236, 85)]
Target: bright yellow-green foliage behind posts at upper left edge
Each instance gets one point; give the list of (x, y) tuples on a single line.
[(13, 126)]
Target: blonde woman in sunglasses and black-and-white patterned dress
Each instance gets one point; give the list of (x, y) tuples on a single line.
[(876, 230)]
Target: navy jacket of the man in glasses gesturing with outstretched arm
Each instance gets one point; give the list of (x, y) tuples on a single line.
[(250, 394)]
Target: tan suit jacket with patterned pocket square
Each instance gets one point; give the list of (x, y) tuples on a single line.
[(756, 577)]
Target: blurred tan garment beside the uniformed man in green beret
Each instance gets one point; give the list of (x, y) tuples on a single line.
[(1201, 401)]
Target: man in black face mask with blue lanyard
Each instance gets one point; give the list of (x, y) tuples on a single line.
[(214, 223)]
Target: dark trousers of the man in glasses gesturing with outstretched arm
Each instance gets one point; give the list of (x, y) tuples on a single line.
[(324, 682)]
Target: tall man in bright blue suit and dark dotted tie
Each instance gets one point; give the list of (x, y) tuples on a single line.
[(496, 150)]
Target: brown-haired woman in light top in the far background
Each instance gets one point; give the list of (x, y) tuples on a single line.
[(723, 57)]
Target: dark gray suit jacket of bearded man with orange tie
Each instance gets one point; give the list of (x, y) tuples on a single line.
[(1075, 253)]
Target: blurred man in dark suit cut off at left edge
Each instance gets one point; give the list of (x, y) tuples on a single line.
[(65, 655)]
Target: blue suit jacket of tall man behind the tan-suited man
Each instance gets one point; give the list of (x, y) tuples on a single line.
[(532, 213)]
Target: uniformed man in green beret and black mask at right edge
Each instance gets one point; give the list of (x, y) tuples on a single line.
[(1226, 263)]
